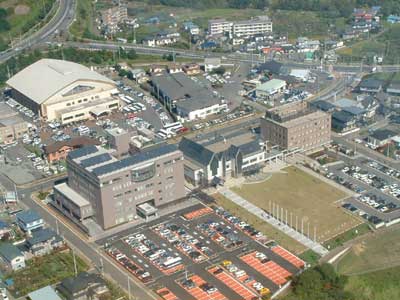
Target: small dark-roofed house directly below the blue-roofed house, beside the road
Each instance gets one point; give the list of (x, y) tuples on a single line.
[(43, 241)]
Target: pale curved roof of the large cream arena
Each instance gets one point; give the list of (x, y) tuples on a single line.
[(46, 77)]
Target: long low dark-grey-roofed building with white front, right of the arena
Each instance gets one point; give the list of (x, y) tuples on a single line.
[(185, 97)]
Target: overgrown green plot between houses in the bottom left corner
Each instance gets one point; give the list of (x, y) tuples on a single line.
[(43, 271)]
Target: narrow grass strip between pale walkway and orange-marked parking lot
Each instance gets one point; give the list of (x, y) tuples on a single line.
[(267, 229)]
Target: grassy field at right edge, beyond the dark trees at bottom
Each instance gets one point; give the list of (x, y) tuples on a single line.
[(377, 251)]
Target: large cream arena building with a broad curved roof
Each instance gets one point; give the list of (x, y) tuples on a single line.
[(64, 91)]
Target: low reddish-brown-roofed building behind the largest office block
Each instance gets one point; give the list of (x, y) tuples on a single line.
[(59, 150)]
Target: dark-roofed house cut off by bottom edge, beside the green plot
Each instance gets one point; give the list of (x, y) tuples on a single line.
[(85, 286)]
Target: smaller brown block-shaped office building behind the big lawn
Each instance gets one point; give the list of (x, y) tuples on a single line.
[(296, 126)]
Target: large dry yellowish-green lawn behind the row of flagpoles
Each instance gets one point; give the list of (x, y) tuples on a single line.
[(305, 196)]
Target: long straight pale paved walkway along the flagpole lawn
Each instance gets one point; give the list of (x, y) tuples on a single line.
[(316, 247)]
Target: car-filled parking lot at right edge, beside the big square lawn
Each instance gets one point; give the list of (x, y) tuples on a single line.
[(377, 187)]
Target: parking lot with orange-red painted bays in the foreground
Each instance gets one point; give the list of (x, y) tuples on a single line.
[(203, 253)]
